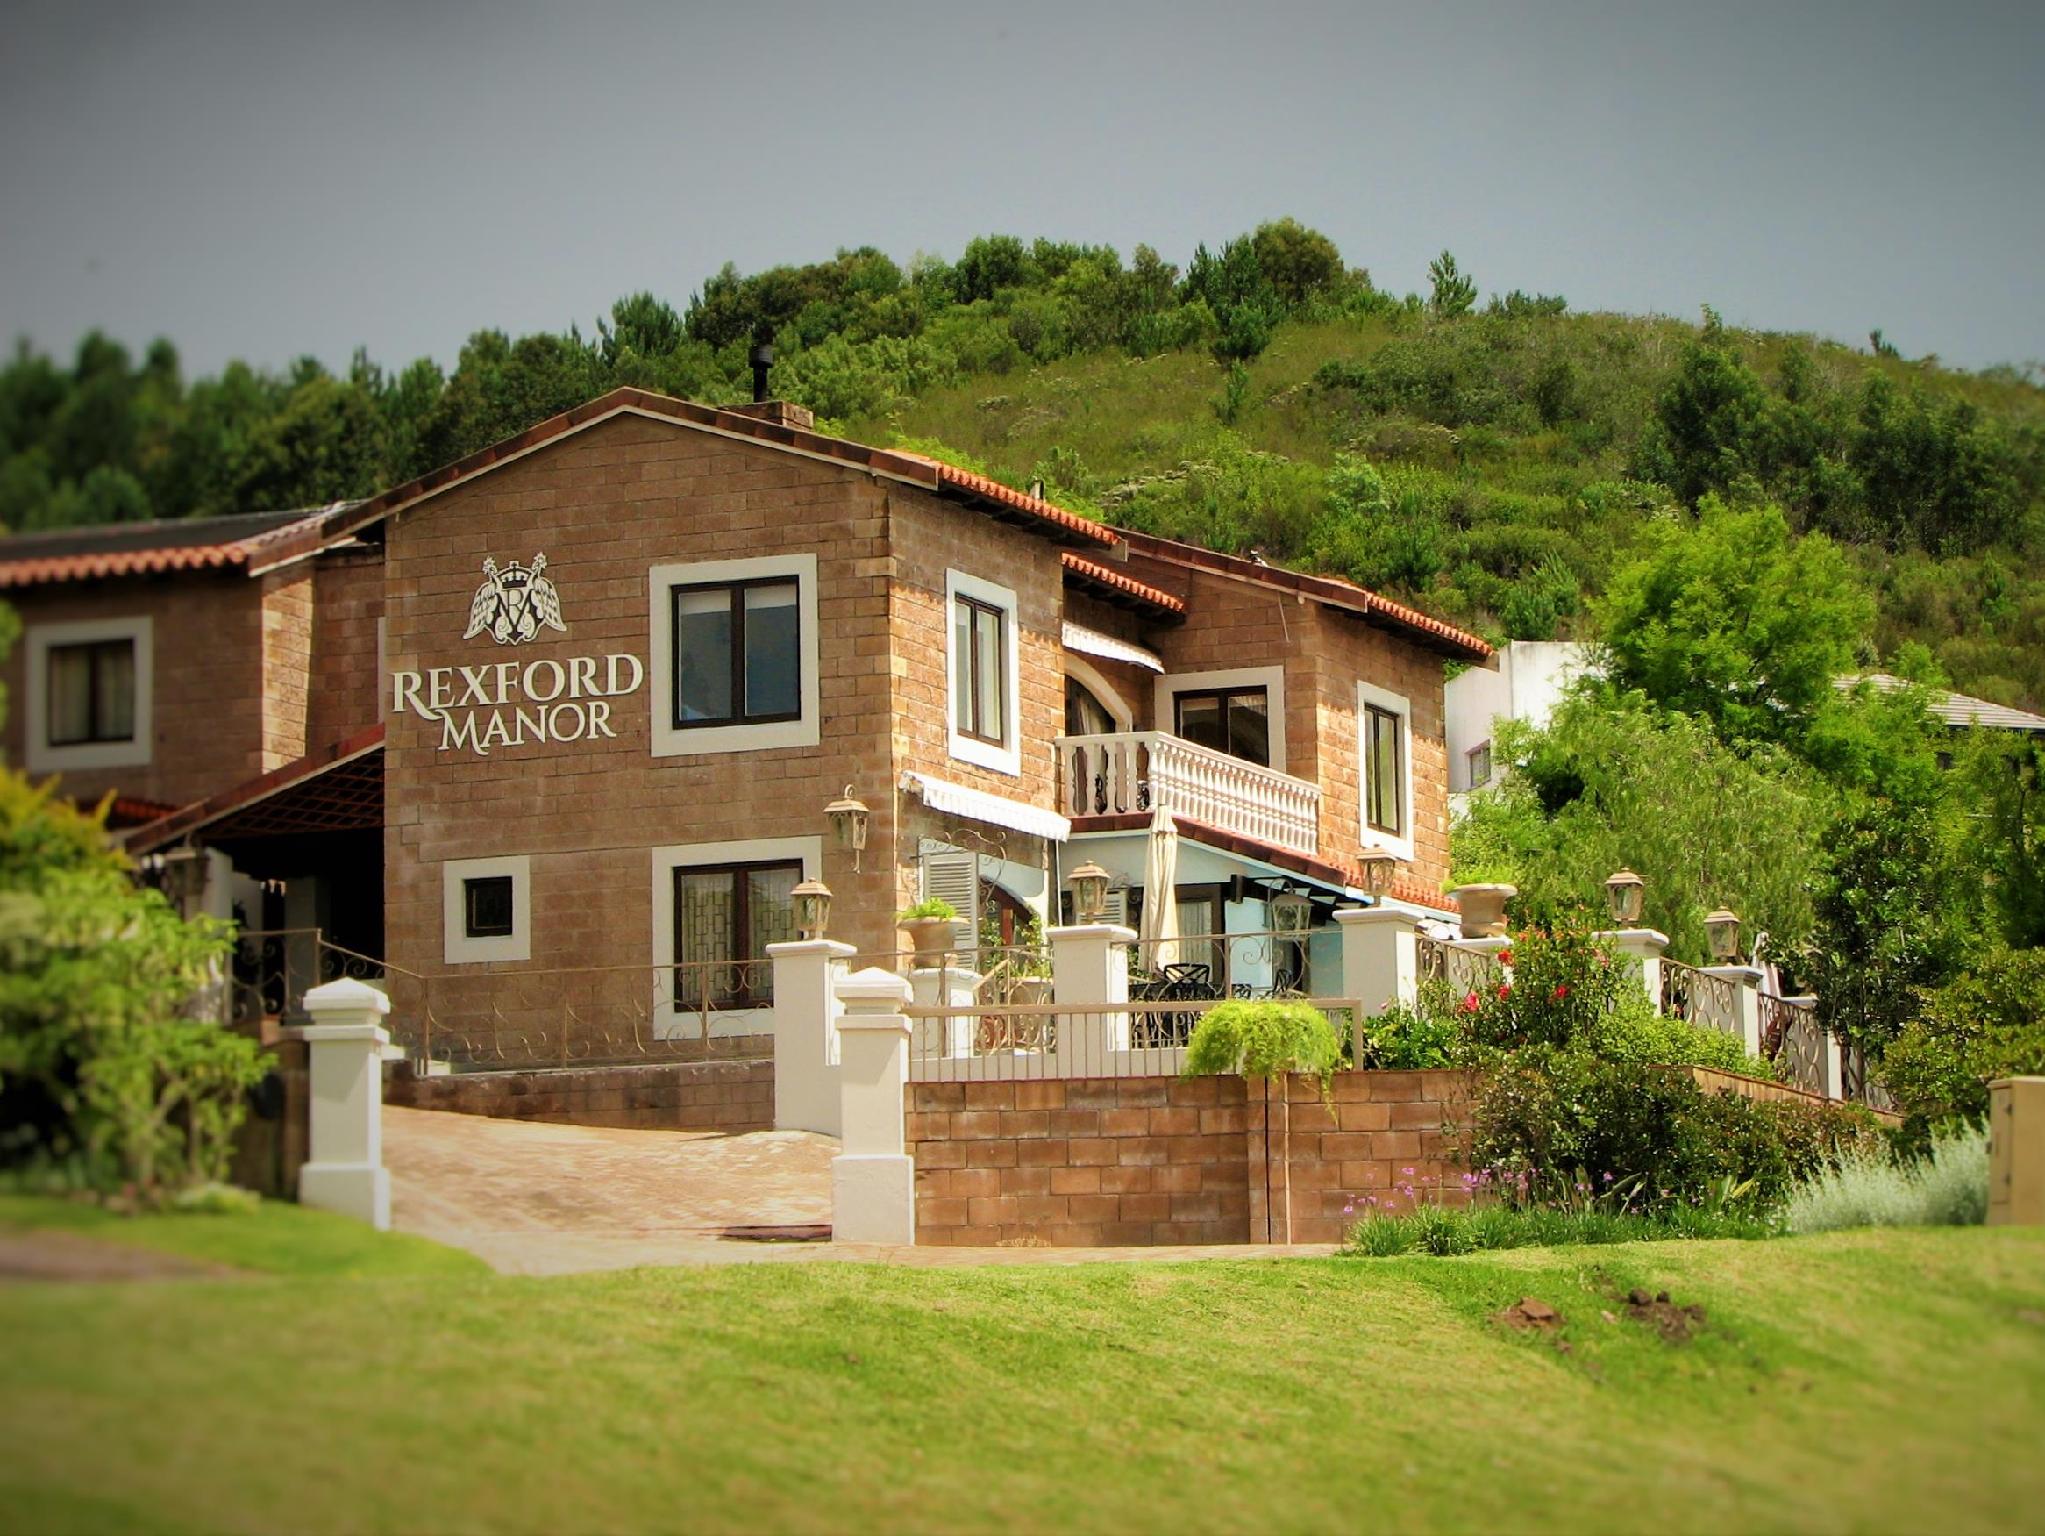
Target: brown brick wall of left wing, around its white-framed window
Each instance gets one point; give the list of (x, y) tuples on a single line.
[(208, 639)]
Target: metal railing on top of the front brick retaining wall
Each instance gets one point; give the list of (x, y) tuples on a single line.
[(1030, 1042)]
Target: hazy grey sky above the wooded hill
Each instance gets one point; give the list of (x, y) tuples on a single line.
[(269, 181)]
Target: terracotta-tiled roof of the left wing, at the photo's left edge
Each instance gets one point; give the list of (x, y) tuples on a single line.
[(253, 541)]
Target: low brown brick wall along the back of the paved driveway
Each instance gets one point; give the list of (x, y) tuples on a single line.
[(668, 1097)]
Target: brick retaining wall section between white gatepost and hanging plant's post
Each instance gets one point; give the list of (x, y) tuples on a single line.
[(1081, 1163)]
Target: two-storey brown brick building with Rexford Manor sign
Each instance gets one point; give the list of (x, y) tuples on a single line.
[(578, 703)]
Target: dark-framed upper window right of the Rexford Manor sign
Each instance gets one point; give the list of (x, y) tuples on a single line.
[(737, 653)]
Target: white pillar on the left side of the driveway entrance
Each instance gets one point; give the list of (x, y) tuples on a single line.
[(347, 1069)]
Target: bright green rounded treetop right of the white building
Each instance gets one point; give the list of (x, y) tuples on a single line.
[(1735, 621)]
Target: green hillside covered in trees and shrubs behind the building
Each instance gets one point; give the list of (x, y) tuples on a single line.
[(1492, 461)]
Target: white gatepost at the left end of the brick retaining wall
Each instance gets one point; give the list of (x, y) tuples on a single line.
[(872, 1179)]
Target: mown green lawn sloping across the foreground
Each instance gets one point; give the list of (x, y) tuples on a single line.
[(1860, 1382)]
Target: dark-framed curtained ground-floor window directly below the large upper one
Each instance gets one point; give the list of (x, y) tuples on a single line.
[(725, 919)]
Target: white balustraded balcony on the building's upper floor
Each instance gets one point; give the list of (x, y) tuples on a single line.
[(1144, 770)]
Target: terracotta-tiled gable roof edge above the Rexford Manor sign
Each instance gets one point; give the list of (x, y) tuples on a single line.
[(913, 469)]
